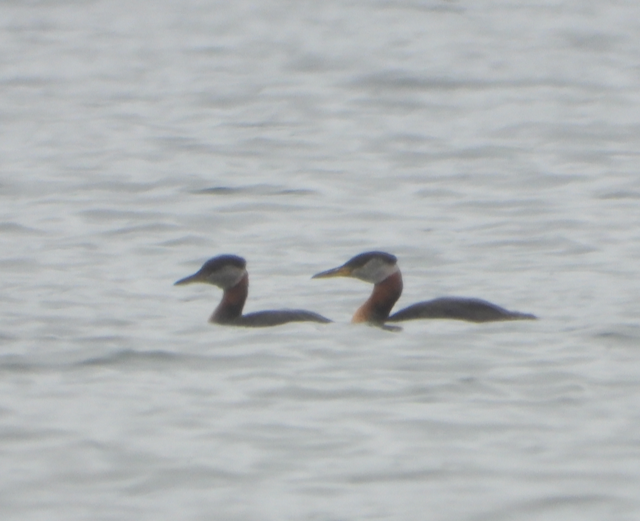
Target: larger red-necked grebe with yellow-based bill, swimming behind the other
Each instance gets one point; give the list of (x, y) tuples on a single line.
[(382, 270)]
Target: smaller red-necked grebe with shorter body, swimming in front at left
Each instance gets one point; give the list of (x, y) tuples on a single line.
[(229, 273)]
